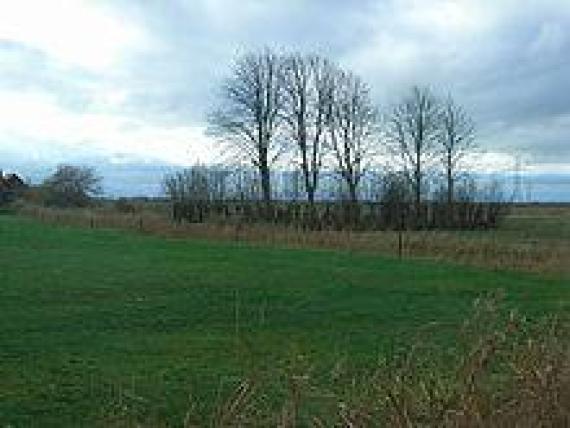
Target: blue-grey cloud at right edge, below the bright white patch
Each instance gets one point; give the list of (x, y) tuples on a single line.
[(514, 77)]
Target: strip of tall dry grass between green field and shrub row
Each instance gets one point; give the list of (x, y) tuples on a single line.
[(490, 249)]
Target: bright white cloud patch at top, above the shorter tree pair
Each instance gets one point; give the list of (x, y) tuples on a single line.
[(420, 42)]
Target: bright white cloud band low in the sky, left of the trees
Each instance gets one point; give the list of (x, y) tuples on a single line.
[(36, 121)]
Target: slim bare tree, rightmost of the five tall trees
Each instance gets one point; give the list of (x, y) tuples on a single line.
[(457, 141)]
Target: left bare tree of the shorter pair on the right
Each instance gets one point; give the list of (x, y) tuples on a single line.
[(413, 131)]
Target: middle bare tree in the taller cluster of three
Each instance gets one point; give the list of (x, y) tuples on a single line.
[(307, 88)]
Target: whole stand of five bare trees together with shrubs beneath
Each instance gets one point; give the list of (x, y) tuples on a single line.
[(307, 129)]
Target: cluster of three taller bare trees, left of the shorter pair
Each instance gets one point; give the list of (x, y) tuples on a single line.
[(302, 107)]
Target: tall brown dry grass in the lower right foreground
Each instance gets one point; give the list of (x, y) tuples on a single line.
[(504, 370)]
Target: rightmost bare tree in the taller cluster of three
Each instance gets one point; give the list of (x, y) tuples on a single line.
[(352, 124)]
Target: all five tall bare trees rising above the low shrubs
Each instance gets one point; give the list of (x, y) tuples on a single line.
[(310, 112)]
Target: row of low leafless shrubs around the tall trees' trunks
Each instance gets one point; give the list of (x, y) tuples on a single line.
[(208, 194)]
